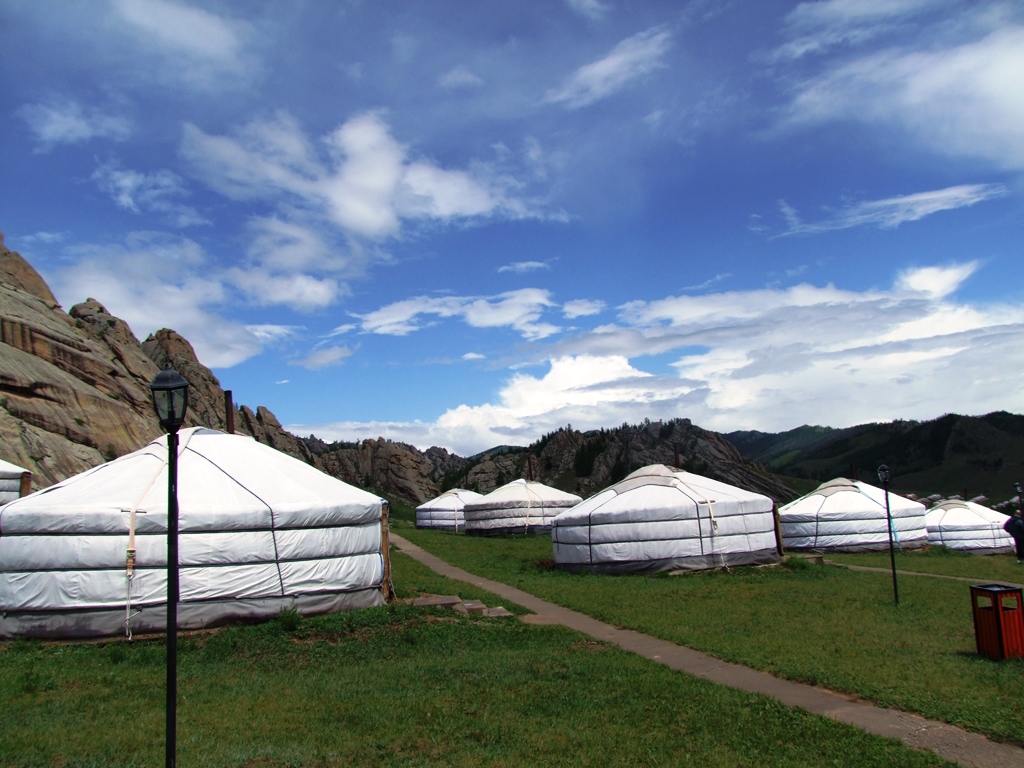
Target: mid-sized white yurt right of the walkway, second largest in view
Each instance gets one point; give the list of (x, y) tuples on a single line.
[(664, 520)]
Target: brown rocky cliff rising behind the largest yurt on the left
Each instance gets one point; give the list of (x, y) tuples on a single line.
[(74, 393)]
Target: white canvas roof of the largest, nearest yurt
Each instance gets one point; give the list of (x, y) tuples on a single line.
[(225, 482)]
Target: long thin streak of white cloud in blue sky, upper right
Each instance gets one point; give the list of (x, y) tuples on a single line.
[(891, 212)]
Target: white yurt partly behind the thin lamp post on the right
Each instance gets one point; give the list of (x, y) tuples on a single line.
[(847, 516)]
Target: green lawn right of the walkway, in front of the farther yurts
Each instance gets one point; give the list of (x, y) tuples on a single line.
[(814, 624)]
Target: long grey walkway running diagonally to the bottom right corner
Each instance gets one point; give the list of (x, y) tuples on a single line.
[(947, 741)]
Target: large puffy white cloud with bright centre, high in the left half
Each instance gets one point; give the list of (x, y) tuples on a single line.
[(366, 189)]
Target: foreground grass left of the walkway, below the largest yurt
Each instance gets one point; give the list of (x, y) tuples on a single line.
[(400, 687)]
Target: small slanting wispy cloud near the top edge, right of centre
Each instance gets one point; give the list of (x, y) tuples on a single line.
[(629, 61)]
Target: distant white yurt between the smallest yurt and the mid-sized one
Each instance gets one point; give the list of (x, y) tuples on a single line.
[(520, 507)]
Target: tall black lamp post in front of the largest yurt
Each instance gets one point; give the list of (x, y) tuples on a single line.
[(170, 399)]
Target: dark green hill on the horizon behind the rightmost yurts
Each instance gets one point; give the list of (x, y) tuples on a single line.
[(965, 455)]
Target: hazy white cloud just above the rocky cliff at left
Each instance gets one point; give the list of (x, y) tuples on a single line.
[(153, 281)]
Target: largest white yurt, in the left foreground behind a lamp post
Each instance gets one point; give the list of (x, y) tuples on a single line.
[(259, 532)]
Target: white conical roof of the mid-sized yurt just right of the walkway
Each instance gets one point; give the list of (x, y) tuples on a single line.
[(654, 489)]
